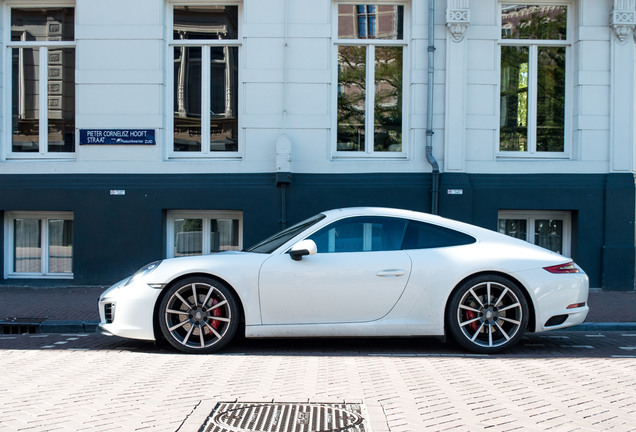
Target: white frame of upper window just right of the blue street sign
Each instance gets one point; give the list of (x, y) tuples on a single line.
[(205, 82)]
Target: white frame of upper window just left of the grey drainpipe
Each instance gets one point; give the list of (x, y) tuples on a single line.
[(405, 43)]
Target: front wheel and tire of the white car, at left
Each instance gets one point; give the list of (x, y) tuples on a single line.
[(198, 315)]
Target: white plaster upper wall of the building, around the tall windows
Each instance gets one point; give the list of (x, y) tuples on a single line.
[(121, 83)]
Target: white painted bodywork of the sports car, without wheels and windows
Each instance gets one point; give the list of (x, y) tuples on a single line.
[(397, 293)]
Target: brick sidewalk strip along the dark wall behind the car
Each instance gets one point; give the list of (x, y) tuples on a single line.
[(80, 303)]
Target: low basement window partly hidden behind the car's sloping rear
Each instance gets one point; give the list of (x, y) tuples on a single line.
[(550, 229)]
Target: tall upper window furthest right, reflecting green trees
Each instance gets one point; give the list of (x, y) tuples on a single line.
[(533, 87)]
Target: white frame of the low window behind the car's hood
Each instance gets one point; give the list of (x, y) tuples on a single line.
[(207, 216)]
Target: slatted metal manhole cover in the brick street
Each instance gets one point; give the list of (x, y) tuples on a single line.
[(285, 417)]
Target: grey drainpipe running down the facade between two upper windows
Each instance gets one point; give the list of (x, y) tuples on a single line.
[(429, 109)]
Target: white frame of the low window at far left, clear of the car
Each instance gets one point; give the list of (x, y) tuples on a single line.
[(9, 243)]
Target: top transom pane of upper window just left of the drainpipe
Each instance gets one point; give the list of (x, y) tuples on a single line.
[(371, 22)]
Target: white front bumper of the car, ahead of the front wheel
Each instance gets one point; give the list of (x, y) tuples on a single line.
[(128, 310)]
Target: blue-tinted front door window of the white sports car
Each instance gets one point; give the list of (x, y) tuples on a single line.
[(361, 234)]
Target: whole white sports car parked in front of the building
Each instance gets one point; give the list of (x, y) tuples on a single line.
[(354, 272)]
